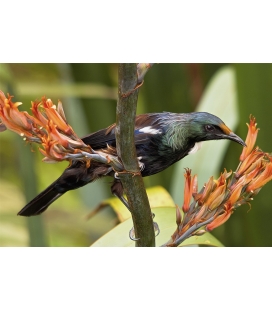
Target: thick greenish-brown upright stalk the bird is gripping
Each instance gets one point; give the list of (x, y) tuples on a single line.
[(132, 183)]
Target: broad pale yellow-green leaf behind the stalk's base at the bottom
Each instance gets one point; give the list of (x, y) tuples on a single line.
[(166, 219)]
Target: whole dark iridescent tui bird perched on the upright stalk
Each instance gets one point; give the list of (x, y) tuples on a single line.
[(161, 139)]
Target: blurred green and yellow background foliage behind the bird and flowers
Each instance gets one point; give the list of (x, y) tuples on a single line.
[(89, 92)]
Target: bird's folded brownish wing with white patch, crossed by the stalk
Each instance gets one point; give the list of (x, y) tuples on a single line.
[(146, 126)]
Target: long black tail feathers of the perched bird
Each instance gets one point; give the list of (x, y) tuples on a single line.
[(41, 202)]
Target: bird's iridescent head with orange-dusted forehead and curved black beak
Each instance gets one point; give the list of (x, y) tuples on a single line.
[(205, 126)]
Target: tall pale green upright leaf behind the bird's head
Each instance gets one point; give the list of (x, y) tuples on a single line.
[(220, 99)]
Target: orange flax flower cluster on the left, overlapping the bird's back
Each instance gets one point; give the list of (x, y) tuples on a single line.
[(48, 127)]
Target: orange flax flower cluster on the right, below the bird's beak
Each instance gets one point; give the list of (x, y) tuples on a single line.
[(218, 199)]
